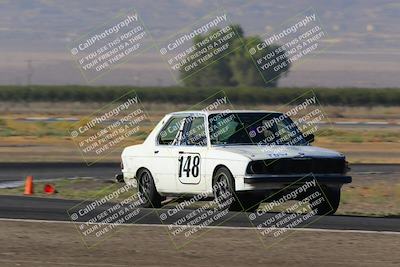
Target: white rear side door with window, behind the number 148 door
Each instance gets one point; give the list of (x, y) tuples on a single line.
[(165, 154)]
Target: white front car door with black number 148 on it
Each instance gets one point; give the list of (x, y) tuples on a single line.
[(190, 167)]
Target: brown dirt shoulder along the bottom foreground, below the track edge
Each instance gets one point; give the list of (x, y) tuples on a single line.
[(59, 244)]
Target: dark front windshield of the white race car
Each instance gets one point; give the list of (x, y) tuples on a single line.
[(254, 128)]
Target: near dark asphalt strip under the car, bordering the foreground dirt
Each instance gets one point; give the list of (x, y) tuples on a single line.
[(16, 207)]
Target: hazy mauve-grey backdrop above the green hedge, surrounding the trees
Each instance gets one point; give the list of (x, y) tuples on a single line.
[(362, 39)]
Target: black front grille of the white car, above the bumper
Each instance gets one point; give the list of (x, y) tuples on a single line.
[(297, 166)]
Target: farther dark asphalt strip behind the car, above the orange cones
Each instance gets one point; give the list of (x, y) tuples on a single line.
[(107, 170)]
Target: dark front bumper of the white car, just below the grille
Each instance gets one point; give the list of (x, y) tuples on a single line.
[(288, 179)]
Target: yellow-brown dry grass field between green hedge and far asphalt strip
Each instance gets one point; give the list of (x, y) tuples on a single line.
[(50, 141)]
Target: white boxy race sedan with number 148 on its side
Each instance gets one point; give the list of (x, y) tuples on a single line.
[(251, 154)]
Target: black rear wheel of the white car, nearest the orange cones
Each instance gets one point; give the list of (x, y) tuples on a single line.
[(147, 190)]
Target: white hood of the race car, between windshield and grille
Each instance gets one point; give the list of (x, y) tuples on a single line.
[(256, 152)]
